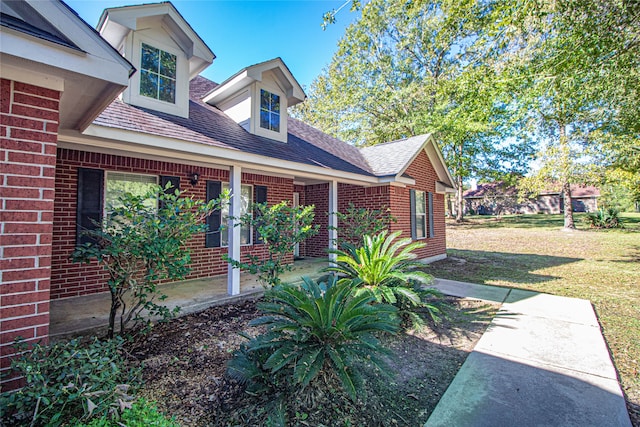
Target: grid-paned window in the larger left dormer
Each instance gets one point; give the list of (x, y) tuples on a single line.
[(158, 74)]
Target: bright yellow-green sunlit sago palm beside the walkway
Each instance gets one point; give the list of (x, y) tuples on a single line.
[(387, 268)]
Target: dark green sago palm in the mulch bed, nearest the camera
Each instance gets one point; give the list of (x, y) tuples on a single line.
[(315, 331)]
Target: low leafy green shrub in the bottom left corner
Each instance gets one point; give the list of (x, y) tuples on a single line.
[(68, 382)]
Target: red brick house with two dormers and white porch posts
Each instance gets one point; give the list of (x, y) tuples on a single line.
[(85, 113)]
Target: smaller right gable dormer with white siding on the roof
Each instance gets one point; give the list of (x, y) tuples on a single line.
[(257, 98)]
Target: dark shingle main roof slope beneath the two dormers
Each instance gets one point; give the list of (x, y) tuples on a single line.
[(208, 125)]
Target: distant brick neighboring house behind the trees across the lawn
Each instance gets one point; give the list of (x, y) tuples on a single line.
[(488, 198)]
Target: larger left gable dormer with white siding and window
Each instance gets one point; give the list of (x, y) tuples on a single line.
[(165, 50)]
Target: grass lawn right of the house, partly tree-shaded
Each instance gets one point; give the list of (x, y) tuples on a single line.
[(532, 252)]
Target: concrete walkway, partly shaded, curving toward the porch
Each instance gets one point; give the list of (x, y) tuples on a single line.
[(541, 362)]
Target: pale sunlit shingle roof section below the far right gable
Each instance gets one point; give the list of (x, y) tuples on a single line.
[(391, 158)]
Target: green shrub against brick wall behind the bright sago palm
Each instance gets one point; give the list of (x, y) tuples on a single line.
[(357, 222)]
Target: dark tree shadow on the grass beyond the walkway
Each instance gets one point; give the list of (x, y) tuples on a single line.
[(482, 266)]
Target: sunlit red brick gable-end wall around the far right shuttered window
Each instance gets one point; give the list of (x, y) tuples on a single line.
[(425, 175)]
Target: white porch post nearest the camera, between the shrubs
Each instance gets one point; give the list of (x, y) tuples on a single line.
[(233, 275)]
